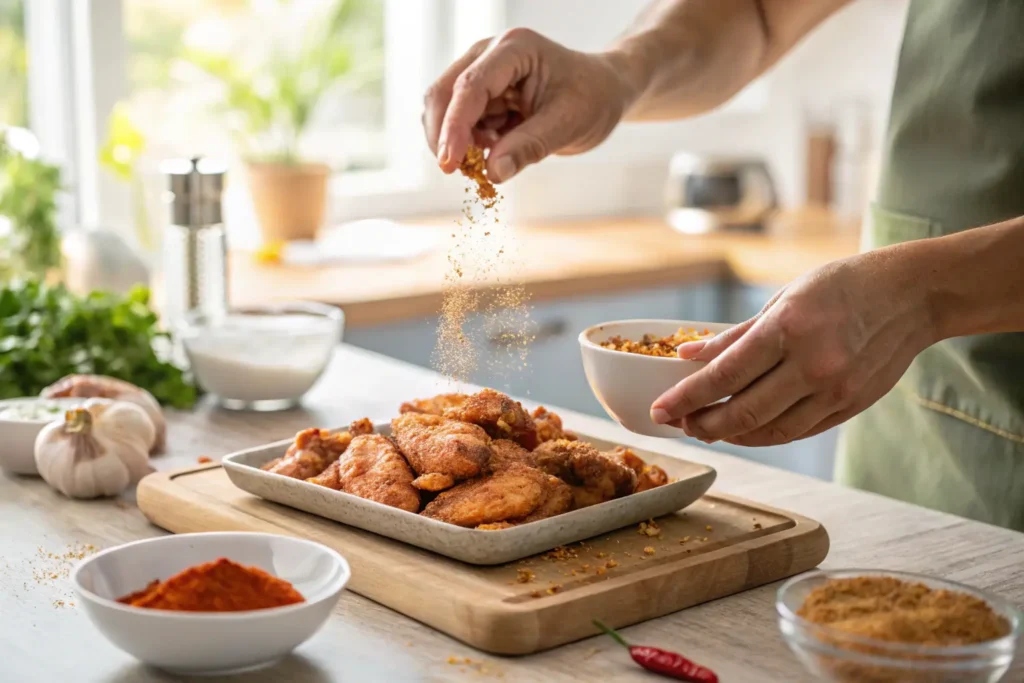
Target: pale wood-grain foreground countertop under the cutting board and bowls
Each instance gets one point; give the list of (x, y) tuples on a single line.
[(46, 637)]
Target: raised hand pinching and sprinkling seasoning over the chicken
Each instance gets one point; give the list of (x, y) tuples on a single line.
[(525, 98)]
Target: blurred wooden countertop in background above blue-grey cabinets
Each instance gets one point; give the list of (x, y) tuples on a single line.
[(562, 261)]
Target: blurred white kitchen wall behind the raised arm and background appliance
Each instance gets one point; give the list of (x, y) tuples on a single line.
[(852, 57)]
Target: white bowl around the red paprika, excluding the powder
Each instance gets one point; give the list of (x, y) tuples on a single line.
[(208, 644)]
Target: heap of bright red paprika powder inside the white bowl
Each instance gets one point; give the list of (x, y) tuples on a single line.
[(217, 587)]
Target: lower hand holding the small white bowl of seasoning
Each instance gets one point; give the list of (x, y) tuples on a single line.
[(826, 349)]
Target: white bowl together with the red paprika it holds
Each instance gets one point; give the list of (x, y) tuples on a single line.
[(211, 604)]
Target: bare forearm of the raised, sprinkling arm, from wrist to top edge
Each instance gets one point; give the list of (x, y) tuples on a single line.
[(685, 58)]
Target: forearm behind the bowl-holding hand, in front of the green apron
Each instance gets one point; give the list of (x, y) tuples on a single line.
[(973, 281)]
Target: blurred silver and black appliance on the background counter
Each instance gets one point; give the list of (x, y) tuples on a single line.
[(718, 194)]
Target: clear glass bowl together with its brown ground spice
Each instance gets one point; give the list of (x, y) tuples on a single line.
[(882, 627)]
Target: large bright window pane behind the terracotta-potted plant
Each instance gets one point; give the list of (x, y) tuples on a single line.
[(242, 77)]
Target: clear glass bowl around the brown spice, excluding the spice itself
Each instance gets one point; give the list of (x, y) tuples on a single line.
[(835, 656)]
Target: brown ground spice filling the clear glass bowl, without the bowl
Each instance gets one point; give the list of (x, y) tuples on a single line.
[(890, 610)]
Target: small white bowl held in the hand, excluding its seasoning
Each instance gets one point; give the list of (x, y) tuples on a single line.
[(627, 385)]
